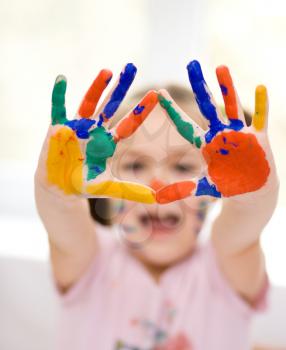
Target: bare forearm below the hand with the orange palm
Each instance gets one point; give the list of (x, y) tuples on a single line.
[(236, 238)]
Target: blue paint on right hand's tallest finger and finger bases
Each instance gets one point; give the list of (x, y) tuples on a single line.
[(205, 104)]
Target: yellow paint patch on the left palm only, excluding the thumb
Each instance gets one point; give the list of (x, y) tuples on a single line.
[(64, 156)]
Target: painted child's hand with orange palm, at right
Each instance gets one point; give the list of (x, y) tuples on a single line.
[(238, 158)]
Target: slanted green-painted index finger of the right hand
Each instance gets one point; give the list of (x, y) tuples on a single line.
[(185, 126)]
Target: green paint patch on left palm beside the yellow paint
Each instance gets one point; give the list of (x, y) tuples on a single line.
[(100, 147)]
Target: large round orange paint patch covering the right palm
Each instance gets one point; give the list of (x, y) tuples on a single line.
[(236, 163)]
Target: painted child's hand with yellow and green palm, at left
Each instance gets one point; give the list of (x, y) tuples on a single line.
[(76, 154)]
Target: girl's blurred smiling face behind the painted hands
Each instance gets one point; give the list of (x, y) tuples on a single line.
[(156, 156)]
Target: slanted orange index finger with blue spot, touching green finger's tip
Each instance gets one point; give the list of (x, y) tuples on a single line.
[(129, 124)]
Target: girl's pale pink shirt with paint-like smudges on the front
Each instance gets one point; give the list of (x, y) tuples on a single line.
[(117, 305)]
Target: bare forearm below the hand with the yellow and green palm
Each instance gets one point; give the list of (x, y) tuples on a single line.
[(71, 233)]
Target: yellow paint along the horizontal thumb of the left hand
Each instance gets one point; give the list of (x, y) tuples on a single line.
[(123, 190)]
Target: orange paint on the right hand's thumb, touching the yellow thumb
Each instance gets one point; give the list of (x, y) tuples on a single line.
[(175, 192)]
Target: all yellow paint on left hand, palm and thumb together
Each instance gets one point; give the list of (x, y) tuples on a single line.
[(65, 169)]
